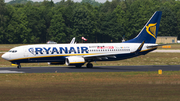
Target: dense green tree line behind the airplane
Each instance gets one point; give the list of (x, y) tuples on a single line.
[(24, 21)]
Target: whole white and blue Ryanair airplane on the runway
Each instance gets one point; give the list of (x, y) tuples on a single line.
[(81, 53)]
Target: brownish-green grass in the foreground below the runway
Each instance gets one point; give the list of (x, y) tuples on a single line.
[(136, 86)]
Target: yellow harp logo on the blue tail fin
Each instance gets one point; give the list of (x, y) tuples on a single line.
[(151, 30)]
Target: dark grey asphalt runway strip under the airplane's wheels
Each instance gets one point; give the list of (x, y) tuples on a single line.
[(84, 69)]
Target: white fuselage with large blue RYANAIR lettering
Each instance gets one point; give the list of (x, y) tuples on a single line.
[(58, 52)]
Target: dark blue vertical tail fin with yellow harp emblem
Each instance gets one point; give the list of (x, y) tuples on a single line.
[(149, 32)]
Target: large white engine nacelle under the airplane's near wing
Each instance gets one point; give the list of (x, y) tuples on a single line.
[(75, 60)]
